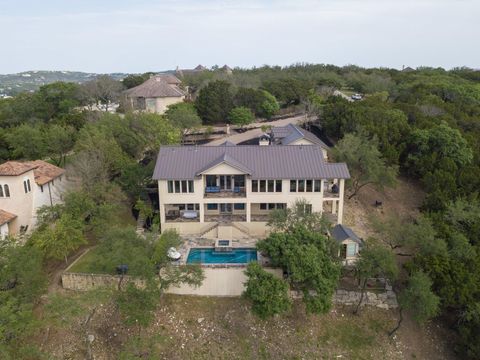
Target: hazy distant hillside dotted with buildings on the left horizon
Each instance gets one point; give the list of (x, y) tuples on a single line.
[(12, 84)]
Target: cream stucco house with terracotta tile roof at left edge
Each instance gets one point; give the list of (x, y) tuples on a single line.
[(25, 187)]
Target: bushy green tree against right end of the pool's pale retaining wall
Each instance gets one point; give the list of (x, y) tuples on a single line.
[(268, 294)]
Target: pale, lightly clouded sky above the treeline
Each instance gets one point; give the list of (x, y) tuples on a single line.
[(106, 36)]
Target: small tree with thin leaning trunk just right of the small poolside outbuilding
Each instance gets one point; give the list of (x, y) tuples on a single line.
[(374, 261)]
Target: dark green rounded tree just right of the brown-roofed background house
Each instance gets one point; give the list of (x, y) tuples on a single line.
[(214, 102)]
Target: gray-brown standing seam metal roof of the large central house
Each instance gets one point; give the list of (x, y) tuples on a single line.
[(261, 162)]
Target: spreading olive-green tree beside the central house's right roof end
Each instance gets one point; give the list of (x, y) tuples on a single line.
[(364, 162)]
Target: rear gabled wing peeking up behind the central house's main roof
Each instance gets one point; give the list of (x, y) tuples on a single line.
[(292, 135)]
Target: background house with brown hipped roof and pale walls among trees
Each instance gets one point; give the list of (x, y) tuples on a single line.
[(156, 94)]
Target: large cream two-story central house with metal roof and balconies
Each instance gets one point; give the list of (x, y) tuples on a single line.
[(206, 186)]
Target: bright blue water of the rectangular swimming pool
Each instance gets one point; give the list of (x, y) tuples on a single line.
[(210, 256)]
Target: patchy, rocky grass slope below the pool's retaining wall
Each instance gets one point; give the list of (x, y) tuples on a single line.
[(217, 328)]
